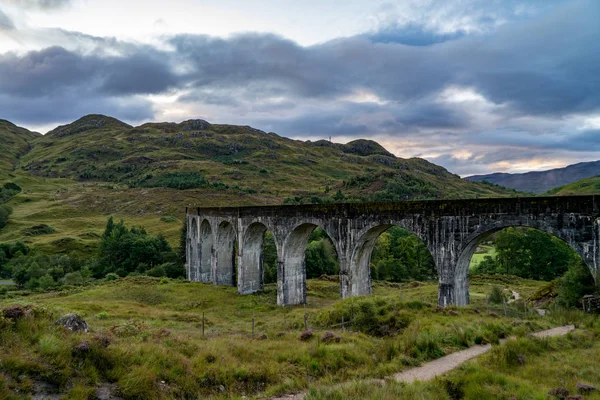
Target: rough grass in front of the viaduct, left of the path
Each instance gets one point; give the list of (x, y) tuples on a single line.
[(227, 362)]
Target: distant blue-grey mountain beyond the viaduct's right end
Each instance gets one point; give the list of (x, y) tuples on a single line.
[(542, 181)]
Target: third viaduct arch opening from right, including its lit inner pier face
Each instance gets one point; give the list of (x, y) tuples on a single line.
[(308, 252)]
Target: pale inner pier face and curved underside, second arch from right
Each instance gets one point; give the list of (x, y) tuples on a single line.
[(359, 270)]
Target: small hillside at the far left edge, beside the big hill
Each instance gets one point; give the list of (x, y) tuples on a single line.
[(14, 142)]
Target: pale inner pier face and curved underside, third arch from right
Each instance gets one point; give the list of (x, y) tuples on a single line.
[(291, 274)]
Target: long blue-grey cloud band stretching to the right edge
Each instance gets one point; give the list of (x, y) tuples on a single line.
[(540, 67)]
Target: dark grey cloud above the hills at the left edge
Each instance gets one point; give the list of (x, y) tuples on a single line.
[(57, 85)]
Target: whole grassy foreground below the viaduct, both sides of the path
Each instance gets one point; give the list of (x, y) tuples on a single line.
[(160, 338)]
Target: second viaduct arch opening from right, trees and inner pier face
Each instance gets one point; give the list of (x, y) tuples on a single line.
[(392, 253)]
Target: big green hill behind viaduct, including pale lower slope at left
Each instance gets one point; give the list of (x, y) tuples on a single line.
[(78, 174)]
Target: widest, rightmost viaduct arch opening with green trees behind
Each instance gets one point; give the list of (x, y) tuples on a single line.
[(529, 253)]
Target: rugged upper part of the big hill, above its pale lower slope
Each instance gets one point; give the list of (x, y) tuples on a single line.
[(237, 160)]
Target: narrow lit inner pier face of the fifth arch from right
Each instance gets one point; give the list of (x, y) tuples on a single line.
[(225, 271)]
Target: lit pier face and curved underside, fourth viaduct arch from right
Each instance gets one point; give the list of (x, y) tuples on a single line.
[(251, 272)]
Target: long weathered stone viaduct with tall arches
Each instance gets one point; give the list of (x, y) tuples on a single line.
[(451, 230)]
